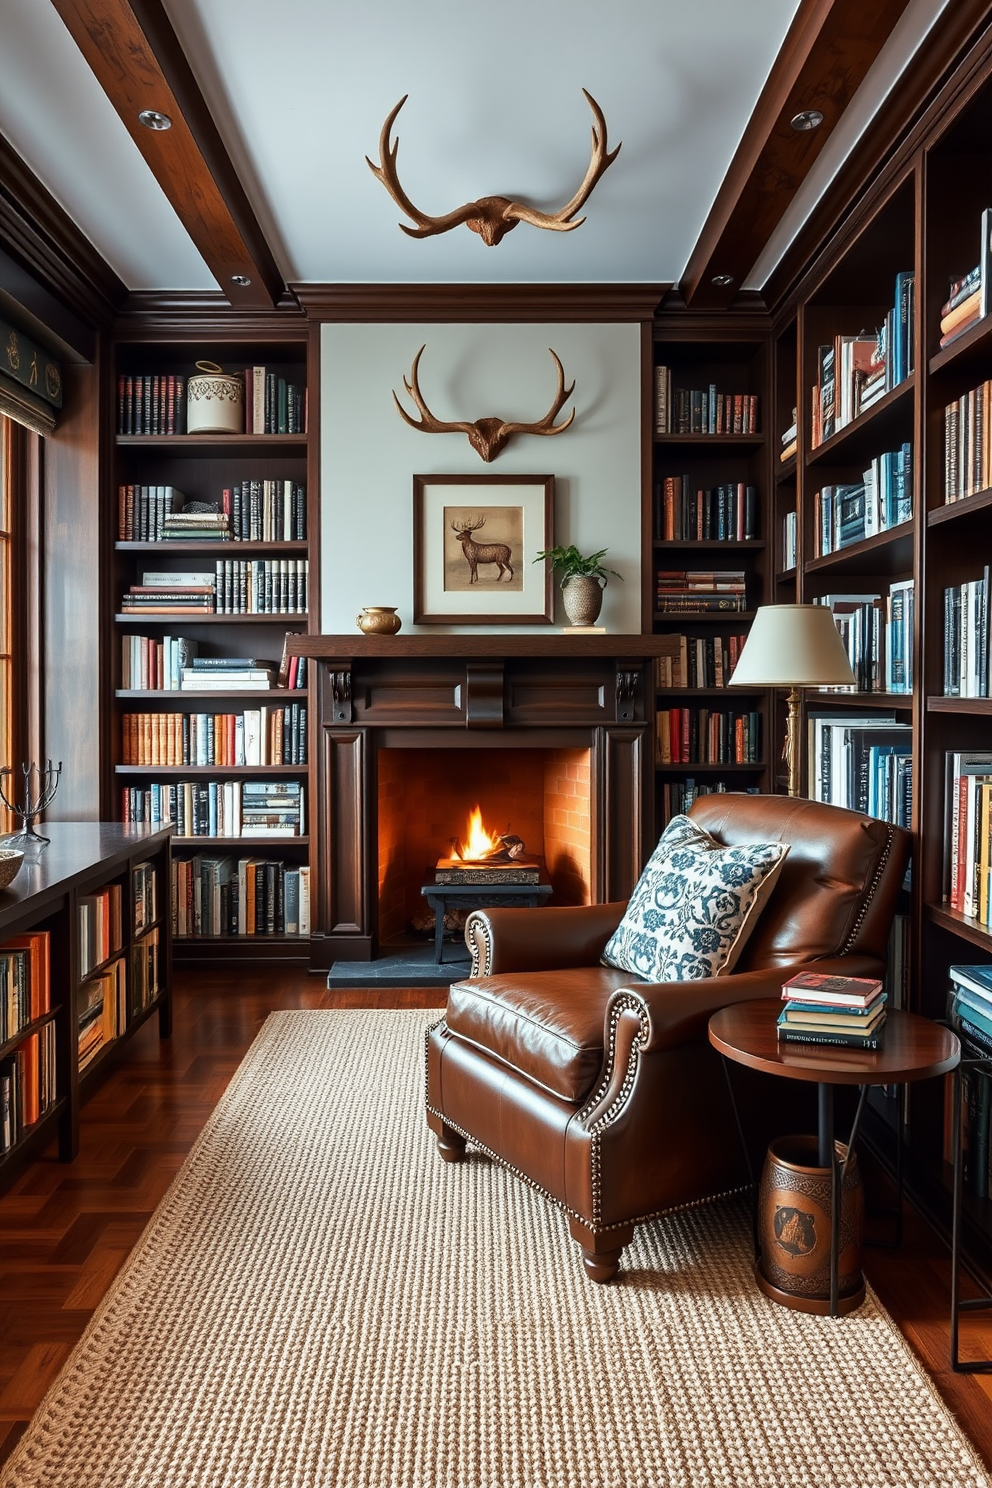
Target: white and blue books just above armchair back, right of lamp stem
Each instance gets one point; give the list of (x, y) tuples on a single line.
[(863, 764)]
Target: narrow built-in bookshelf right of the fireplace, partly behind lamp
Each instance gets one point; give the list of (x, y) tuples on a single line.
[(710, 516)]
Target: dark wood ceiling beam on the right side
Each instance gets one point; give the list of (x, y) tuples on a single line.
[(826, 54)]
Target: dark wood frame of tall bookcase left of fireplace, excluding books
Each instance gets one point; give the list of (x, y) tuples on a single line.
[(202, 466)]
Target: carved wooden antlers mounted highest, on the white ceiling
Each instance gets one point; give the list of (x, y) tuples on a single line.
[(493, 217)]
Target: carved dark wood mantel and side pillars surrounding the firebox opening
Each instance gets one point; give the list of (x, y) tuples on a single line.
[(471, 693)]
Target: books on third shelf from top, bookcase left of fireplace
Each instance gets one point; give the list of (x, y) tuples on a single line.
[(237, 587)]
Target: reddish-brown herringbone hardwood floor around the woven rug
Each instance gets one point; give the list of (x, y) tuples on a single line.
[(66, 1230)]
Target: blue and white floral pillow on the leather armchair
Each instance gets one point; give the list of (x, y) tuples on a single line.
[(694, 907)]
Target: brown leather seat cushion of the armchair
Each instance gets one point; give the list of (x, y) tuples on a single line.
[(545, 1024)]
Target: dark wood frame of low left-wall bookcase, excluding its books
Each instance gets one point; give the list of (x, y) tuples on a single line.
[(83, 859)]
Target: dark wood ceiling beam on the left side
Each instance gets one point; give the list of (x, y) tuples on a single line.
[(141, 65)]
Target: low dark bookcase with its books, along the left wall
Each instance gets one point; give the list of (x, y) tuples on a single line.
[(88, 913)]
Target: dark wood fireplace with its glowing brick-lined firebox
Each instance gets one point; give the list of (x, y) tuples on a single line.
[(551, 736)]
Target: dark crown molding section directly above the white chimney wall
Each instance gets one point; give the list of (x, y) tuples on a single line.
[(480, 303)]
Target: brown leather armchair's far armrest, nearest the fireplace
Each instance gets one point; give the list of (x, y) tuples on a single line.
[(539, 940)]
